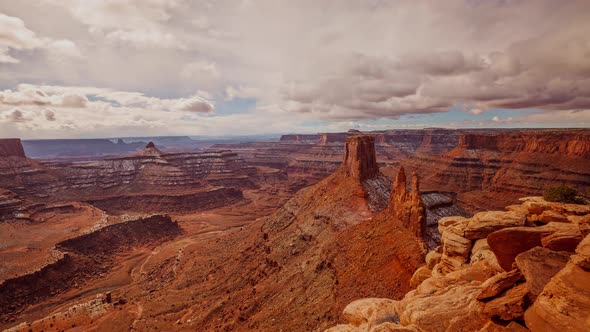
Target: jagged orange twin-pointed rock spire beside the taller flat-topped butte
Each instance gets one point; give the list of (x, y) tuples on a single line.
[(407, 206)]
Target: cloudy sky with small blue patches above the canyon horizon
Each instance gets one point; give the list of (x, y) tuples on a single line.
[(117, 68)]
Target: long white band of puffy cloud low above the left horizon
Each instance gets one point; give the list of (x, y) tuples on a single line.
[(96, 112)]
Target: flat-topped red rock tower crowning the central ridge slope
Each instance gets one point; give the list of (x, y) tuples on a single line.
[(360, 160)]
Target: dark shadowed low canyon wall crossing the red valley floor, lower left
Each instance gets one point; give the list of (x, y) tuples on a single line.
[(82, 258)]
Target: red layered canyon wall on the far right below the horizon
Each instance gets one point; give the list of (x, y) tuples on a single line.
[(521, 162)]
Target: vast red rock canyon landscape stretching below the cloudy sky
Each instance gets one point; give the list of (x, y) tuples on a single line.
[(374, 231)]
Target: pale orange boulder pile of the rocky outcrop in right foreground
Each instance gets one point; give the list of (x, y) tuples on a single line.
[(542, 289)]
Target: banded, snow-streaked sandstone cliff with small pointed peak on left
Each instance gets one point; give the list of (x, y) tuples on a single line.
[(150, 178)]
